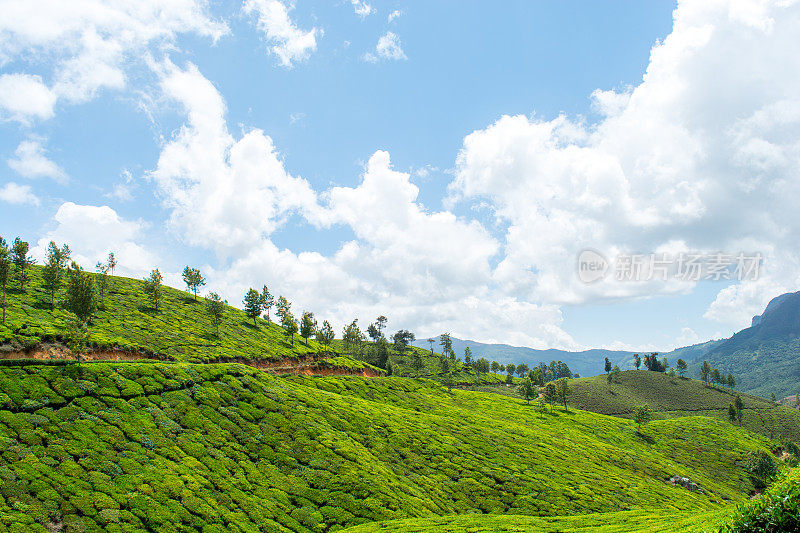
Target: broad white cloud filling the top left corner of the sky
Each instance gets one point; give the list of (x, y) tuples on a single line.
[(90, 44)]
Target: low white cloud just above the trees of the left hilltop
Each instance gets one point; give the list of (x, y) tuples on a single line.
[(92, 232)]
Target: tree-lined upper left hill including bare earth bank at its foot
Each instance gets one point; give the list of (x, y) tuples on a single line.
[(126, 327)]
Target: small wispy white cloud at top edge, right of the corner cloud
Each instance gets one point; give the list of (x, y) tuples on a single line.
[(287, 41)]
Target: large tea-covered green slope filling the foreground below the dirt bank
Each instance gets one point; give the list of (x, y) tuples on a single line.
[(179, 447)]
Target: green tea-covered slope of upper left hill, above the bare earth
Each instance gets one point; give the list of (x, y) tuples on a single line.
[(181, 330)]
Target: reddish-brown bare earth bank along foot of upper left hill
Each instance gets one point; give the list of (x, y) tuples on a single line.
[(306, 365)]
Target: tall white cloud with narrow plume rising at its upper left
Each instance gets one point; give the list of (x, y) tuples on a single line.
[(224, 194)]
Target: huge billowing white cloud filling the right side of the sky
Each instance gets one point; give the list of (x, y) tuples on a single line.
[(701, 155)]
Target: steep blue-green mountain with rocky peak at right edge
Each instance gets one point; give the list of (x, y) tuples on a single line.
[(765, 357)]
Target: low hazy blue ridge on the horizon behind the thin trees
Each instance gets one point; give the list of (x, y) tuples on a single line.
[(585, 363)]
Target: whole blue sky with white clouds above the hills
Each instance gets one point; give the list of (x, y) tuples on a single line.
[(457, 167)]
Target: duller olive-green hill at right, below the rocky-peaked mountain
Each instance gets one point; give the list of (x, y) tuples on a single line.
[(673, 397)]
